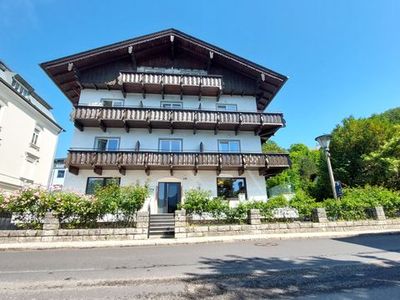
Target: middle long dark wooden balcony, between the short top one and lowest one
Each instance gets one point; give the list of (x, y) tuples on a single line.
[(263, 124)]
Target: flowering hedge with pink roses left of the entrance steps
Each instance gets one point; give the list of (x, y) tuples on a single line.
[(75, 210)]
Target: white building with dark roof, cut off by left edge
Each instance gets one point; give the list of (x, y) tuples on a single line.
[(28, 134)]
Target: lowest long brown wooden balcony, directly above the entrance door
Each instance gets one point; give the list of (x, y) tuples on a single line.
[(266, 164)]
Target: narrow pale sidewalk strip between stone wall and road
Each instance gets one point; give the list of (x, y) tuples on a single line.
[(194, 240)]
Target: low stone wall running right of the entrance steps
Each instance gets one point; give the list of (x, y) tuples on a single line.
[(292, 227)]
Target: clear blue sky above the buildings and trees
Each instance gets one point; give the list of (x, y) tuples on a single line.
[(342, 57)]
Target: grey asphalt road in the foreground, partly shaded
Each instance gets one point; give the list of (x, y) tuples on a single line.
[(364, 267)]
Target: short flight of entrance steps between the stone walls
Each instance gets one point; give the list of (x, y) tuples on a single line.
[(162, 226)]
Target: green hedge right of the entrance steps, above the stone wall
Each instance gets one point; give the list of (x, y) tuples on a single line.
[(356, 204)]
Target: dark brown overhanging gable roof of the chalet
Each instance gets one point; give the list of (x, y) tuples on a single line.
[(65, 71)]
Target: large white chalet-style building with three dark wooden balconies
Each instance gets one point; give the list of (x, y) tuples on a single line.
[(171, 111)]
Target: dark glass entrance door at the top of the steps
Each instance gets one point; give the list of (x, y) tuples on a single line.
[(169, 195)]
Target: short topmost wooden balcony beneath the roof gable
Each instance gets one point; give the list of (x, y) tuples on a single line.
[(164, 83)]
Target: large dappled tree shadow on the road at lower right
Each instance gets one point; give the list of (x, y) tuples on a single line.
[(238, 277)]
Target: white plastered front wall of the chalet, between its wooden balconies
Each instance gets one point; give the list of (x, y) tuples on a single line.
[(207, 180)]
